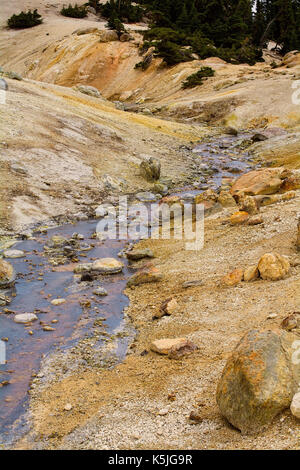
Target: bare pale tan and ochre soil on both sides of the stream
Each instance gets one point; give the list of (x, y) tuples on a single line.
[(67, 142)]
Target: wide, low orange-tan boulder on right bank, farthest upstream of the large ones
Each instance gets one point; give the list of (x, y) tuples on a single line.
[(261, 181)]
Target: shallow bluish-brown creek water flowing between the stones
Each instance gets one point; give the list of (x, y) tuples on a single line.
[(39, 282)]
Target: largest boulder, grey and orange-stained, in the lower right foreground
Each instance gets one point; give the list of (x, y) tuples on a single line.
[(258, 381)]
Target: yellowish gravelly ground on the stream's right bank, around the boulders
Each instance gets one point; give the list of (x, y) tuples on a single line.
[(145, 402)]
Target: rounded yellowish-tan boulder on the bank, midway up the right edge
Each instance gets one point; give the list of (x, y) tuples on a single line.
[(273, 267)]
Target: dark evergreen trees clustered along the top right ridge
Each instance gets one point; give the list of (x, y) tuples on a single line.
[(231, 30)]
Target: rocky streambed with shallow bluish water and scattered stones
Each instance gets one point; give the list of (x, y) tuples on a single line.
[(73, 311)]
